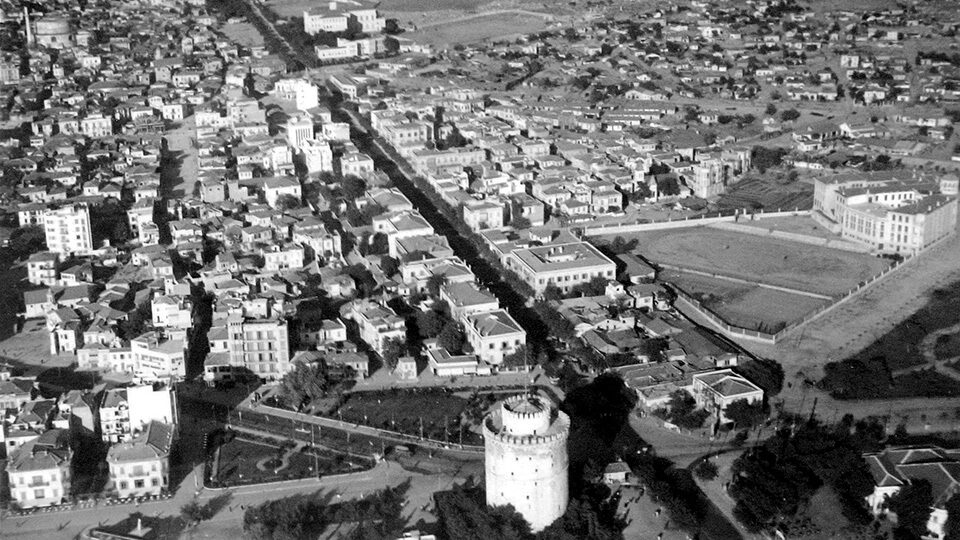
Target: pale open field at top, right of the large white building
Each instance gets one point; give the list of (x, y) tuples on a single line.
[(479, 28)]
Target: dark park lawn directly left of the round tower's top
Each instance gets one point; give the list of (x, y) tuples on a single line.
[(403, 410)]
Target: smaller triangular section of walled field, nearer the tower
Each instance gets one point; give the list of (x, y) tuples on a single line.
[(744, 305)]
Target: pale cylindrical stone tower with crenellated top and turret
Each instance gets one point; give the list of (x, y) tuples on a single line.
[(526, 458)]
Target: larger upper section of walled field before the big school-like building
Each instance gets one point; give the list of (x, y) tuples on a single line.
[(768, 260)]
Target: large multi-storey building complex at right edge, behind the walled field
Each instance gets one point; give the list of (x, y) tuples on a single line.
[(887, 213)]
